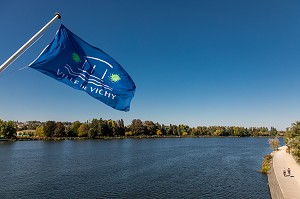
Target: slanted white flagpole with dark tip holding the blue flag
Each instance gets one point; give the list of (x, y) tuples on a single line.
[(27, 44)]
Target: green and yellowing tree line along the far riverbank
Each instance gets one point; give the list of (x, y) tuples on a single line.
[(98, 128)]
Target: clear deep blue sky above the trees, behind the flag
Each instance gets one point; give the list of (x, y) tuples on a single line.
[(194, 62)]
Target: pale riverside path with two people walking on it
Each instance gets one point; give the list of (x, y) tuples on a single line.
[(289, 185)]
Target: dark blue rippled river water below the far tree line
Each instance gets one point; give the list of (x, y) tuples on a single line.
[(134, 168)]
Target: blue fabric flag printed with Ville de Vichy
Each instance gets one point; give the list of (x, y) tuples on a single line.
[(71, 60)]
